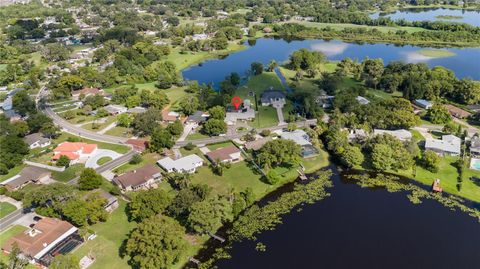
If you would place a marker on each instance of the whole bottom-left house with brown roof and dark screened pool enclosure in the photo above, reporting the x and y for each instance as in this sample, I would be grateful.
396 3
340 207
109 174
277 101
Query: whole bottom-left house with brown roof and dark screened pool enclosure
46 239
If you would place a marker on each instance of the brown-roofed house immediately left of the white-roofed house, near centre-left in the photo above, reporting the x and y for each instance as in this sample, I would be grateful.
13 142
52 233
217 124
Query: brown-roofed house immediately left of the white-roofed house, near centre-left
142 178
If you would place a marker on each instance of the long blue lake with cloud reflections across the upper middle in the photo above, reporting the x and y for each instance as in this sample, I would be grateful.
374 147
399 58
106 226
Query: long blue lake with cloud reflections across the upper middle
465 63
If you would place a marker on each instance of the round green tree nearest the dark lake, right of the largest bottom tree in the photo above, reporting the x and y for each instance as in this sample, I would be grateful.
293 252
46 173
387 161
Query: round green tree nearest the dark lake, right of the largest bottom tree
207 216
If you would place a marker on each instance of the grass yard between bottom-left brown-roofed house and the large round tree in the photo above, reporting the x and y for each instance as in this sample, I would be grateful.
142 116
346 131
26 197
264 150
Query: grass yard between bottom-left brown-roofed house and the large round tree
110 236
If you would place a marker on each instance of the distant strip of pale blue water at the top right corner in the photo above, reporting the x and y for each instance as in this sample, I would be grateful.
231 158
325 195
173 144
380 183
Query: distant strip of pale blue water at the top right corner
471 17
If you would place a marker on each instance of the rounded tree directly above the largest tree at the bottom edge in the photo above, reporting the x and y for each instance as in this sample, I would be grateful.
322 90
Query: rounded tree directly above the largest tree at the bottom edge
148 203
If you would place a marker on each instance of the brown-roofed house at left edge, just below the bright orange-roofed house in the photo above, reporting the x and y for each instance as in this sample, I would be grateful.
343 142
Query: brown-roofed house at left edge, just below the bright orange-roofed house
27 175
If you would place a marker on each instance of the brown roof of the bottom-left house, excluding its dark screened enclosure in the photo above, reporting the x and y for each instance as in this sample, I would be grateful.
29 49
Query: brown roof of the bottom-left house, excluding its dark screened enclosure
43 233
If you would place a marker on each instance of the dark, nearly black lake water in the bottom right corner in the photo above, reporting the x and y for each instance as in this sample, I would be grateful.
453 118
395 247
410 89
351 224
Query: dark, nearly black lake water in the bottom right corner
365 228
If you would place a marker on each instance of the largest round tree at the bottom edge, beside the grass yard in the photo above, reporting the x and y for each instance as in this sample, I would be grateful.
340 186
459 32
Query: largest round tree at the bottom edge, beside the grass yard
156 243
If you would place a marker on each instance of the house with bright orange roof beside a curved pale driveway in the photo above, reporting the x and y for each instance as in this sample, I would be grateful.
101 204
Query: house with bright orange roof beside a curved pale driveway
75 151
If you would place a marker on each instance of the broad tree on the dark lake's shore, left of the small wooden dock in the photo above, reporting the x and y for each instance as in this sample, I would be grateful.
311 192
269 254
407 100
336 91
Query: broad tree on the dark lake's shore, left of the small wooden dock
278 152
